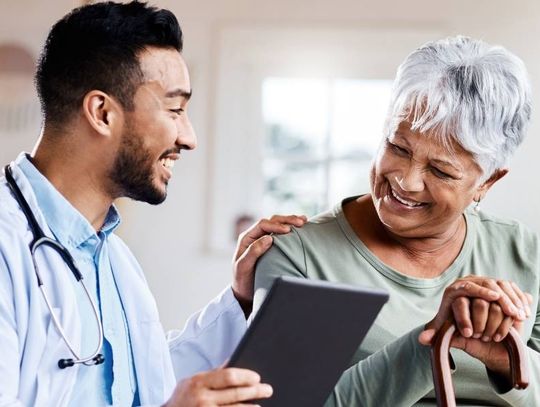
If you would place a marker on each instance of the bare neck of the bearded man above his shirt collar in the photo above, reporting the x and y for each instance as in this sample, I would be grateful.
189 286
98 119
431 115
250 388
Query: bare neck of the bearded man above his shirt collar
76 179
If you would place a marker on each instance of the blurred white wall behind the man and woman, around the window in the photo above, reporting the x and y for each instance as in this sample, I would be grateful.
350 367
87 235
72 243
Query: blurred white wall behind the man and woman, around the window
172 241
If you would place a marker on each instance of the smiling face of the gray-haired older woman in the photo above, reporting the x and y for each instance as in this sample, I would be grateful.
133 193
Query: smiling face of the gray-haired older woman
420 188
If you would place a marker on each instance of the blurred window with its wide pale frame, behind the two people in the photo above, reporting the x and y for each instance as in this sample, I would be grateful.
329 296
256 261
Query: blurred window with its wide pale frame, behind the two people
298 117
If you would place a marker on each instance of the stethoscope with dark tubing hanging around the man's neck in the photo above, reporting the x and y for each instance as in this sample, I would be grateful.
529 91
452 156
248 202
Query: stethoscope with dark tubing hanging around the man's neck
40 239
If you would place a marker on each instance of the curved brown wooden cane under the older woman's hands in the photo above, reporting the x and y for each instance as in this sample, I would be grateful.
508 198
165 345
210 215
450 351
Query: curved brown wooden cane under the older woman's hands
440 363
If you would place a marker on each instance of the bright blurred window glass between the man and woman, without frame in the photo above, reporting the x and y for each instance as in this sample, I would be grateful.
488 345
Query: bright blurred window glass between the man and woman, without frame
320 138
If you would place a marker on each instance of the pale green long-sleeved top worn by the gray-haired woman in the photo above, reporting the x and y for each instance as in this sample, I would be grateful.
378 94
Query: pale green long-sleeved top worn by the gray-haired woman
390 367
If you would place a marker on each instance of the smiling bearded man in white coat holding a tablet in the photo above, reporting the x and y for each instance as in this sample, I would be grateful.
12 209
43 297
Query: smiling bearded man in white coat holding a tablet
114 90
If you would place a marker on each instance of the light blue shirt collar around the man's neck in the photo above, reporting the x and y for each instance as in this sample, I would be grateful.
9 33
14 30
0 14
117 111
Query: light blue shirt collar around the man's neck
67 224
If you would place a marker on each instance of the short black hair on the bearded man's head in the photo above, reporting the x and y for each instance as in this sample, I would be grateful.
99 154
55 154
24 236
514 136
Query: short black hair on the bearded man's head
96 47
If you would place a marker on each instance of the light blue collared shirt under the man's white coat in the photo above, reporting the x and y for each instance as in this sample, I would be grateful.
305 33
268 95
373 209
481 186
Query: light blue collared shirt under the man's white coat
115 379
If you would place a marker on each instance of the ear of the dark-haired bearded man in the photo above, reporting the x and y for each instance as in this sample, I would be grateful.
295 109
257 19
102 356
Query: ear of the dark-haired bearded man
101 112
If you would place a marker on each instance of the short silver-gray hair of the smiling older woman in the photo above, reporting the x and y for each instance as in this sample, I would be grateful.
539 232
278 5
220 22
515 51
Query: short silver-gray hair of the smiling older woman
464 89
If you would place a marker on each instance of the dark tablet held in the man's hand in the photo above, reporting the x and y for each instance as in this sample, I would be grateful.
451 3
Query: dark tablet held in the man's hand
304 336
